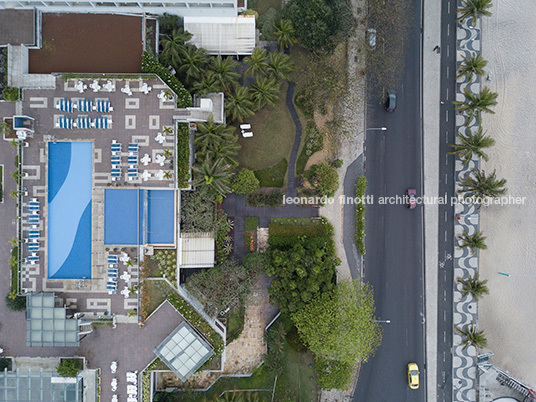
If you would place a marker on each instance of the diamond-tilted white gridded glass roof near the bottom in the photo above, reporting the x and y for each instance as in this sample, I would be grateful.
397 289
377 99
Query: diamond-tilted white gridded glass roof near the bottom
184 351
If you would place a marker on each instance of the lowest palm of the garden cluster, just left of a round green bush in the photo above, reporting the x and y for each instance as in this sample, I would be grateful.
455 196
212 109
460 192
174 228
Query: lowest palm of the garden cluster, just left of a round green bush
213 176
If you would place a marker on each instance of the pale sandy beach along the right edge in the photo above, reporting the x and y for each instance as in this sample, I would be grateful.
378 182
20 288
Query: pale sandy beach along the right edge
507 313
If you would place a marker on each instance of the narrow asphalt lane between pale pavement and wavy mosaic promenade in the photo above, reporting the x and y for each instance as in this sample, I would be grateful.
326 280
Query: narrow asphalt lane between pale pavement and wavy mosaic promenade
446 212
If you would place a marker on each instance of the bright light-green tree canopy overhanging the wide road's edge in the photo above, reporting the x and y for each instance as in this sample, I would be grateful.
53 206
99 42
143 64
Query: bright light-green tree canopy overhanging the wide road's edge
339 325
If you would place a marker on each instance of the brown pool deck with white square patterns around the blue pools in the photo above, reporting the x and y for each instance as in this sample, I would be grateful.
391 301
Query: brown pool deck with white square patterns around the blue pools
136 118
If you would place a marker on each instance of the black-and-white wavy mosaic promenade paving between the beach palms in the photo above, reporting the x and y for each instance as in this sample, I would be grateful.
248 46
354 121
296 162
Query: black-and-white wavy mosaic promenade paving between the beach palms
464 362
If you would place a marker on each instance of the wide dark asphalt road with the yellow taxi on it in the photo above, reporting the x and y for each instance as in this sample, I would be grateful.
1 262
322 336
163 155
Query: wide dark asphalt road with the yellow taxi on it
394 242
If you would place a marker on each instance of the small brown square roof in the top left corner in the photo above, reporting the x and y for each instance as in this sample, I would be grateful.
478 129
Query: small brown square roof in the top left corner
17 27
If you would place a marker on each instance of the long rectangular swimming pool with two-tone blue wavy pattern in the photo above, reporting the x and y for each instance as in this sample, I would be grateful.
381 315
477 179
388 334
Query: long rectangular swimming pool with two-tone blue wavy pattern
70 166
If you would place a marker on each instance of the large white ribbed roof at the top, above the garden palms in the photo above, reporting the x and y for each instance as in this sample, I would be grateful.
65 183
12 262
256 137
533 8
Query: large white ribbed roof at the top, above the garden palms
222 35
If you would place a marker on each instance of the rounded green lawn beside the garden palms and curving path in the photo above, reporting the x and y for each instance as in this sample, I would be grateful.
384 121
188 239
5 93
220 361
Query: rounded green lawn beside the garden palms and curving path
273 136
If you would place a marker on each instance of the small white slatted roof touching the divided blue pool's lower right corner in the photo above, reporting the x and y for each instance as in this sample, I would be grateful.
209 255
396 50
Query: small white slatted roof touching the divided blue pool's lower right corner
197 250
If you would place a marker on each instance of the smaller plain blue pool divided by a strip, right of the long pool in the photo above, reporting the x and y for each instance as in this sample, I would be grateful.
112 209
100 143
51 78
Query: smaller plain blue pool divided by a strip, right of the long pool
139 216
